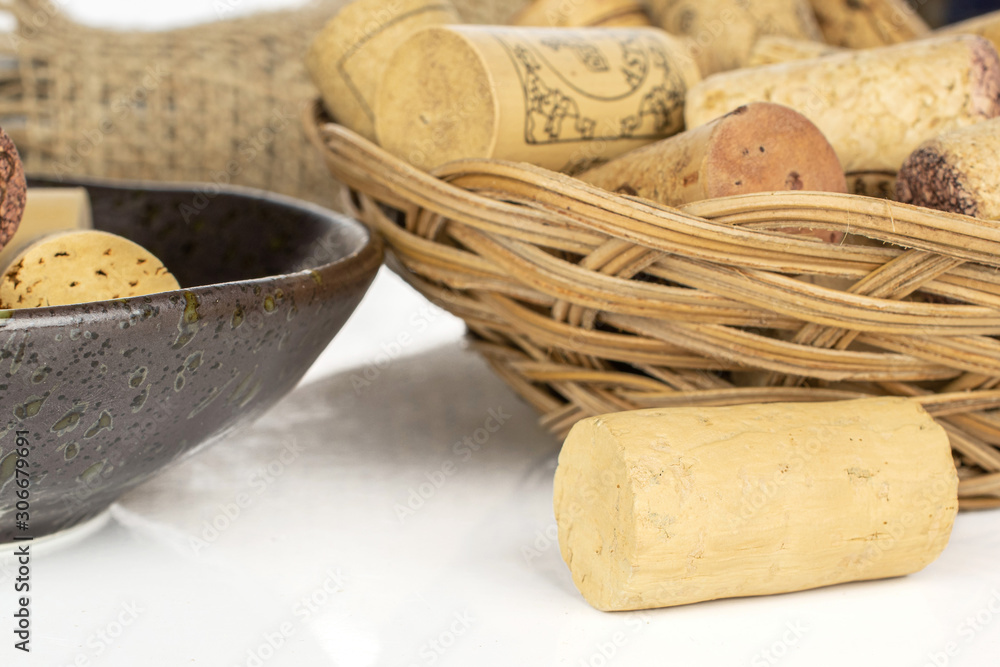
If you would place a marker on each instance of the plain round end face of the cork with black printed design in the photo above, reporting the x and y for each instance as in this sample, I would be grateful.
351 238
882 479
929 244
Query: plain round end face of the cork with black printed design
436 103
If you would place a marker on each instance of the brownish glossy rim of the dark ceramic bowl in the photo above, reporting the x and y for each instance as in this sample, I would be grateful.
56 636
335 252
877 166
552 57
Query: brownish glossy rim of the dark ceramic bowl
359 264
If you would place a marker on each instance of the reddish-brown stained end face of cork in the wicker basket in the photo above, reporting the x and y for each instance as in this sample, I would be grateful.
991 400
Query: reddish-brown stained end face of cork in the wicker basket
762 147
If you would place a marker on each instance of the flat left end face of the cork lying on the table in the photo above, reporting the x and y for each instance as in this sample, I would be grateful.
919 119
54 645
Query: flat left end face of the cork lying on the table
593 505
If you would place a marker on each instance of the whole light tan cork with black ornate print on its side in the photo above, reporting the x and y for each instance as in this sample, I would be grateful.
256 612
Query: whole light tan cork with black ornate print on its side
555 97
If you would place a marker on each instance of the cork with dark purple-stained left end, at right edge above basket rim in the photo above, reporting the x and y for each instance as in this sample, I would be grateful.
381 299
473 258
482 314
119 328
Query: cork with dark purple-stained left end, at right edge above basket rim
956 172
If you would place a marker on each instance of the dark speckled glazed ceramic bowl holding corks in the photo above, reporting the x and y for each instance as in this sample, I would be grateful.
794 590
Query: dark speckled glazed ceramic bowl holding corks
110 392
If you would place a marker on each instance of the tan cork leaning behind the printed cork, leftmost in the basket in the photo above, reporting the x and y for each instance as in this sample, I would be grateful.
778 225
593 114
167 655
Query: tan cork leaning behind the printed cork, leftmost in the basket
346 60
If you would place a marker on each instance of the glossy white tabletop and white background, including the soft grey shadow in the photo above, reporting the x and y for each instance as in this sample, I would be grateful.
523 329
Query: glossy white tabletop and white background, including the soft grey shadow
319 563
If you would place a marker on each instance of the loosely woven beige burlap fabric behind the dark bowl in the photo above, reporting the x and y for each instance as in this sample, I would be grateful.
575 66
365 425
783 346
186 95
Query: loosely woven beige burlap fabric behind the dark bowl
214 103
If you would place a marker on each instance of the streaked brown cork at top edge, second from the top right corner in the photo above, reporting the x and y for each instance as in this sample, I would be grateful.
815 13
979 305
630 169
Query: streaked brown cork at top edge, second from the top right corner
864 24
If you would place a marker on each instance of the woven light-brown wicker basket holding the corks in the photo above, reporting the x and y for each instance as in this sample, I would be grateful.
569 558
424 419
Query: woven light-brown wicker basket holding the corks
588 302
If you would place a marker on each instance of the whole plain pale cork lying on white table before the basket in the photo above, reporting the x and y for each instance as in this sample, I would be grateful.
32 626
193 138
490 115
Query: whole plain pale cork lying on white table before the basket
672 506
